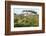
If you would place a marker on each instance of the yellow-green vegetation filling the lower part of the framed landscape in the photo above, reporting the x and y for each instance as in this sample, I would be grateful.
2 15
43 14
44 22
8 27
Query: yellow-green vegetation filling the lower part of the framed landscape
26 21
